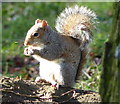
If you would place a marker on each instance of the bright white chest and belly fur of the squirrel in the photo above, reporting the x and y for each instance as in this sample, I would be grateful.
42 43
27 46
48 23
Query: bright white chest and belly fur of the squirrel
49 69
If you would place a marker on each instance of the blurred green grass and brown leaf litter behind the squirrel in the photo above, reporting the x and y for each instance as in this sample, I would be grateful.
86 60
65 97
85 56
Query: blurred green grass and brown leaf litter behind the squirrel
18 17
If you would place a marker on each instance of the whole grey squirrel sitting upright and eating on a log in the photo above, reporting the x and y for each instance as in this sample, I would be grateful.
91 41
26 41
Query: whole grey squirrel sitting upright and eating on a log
61 53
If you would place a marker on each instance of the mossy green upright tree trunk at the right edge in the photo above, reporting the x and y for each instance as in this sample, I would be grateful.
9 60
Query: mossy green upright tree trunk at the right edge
110 79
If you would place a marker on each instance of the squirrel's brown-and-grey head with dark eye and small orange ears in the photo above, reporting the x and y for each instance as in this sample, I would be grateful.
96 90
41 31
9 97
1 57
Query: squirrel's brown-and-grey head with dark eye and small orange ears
36 33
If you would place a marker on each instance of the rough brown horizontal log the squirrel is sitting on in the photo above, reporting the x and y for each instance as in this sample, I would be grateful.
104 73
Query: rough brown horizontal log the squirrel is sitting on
18 91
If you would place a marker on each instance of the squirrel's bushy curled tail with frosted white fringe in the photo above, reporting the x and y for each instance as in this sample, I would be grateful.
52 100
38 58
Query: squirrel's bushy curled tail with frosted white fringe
76 22
